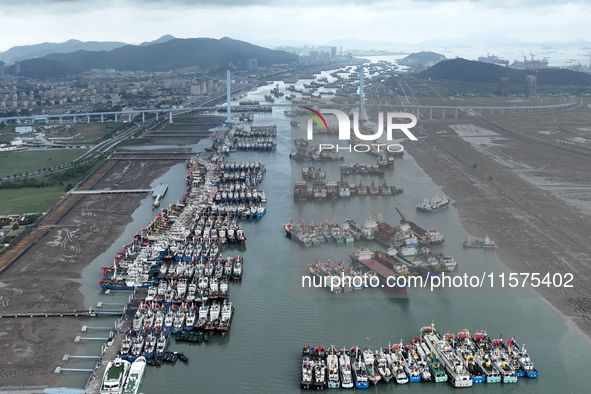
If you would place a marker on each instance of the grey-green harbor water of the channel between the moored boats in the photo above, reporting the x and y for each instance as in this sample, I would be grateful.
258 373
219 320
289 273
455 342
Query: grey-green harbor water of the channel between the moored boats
274 318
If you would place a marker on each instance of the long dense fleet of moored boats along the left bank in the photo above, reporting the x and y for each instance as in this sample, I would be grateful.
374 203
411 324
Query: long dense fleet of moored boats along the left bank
178 258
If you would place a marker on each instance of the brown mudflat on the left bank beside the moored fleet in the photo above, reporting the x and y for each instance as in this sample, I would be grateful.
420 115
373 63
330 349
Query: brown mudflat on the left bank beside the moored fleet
44 268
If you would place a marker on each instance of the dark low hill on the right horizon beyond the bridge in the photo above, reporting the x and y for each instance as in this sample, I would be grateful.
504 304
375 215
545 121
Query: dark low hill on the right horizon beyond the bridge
471 71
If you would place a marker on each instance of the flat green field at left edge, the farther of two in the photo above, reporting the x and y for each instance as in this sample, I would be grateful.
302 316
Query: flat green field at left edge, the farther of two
28 161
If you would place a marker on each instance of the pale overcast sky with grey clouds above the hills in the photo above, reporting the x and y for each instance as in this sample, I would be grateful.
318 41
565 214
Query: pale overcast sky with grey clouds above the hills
26 22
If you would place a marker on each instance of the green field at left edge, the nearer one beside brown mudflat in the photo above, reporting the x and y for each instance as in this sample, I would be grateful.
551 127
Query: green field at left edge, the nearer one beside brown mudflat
29 200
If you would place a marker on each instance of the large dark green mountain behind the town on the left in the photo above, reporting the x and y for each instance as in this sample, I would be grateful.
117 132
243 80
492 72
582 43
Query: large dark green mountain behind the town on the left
171 55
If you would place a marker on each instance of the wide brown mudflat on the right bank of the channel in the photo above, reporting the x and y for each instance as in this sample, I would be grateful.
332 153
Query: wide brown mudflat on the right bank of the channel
490 183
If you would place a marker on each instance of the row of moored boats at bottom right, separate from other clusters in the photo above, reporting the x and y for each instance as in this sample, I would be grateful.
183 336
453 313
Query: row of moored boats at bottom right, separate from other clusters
461 359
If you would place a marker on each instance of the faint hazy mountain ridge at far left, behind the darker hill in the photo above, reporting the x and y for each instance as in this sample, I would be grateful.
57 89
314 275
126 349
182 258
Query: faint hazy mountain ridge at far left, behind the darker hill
39 50
